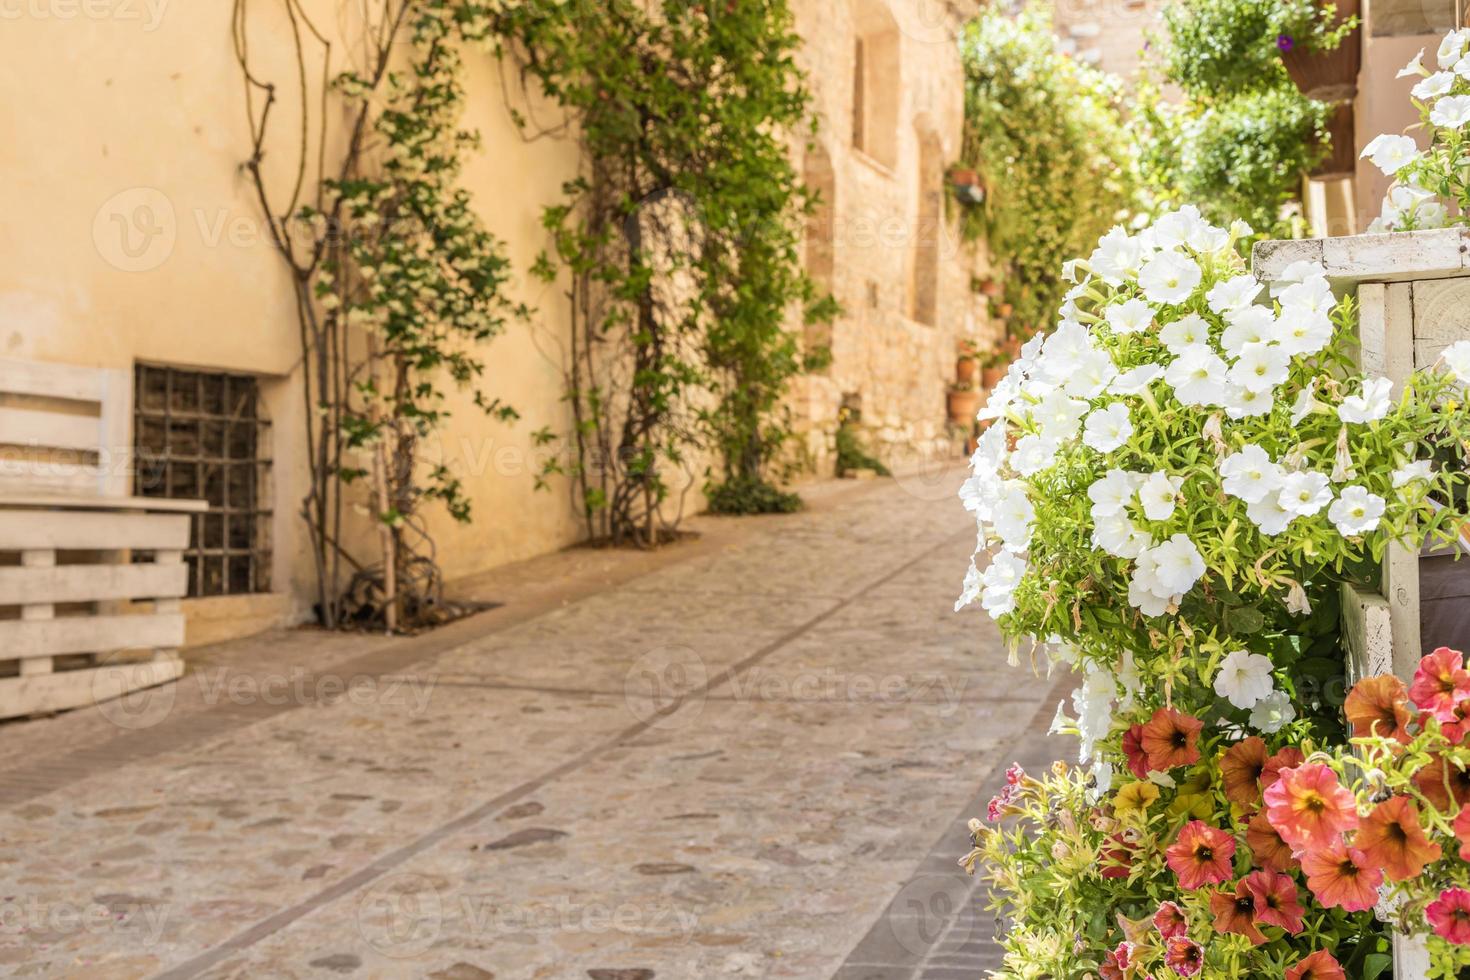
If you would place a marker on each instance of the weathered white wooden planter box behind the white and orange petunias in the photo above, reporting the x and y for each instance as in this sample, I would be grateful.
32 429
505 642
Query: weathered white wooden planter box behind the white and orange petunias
1415 296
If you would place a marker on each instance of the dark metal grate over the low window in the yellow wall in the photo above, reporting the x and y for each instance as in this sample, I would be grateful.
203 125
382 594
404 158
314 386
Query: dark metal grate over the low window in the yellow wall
202 436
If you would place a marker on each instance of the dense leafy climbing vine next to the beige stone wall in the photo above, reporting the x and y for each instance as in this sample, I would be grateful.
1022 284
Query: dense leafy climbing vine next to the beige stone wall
680 240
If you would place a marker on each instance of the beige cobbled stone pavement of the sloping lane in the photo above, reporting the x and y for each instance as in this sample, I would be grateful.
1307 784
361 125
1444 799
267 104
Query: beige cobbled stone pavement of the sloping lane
749 757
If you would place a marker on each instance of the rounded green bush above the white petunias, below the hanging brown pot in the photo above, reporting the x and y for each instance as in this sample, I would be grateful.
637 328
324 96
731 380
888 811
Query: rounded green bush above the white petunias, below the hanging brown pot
1238 158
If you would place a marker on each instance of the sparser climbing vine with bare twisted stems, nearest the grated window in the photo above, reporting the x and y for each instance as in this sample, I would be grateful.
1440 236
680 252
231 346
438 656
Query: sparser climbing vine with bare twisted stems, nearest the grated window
398 286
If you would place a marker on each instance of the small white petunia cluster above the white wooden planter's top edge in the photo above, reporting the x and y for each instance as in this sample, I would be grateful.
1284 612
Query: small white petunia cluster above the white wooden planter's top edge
1428 181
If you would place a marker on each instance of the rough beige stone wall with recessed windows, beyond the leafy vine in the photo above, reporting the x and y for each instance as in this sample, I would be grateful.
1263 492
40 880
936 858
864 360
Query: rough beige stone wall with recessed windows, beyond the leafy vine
889 84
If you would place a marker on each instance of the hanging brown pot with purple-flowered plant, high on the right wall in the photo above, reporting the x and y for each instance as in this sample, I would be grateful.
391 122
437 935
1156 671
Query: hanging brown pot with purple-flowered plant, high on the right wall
1319 49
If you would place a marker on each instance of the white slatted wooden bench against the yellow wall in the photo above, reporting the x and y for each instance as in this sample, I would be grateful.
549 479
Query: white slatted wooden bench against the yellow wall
90 577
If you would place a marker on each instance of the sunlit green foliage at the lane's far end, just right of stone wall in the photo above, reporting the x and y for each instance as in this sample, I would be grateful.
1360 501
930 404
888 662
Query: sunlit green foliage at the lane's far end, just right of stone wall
1050 137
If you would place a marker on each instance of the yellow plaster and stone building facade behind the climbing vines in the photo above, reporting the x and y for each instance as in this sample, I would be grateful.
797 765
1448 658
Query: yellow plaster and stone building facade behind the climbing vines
133 242
